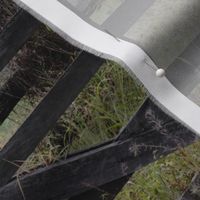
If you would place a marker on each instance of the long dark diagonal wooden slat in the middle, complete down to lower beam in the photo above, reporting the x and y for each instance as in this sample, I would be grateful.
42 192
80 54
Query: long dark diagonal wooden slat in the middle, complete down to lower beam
44 117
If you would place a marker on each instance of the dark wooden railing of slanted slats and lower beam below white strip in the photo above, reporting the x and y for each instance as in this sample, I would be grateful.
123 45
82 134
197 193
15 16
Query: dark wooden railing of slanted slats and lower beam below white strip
92 173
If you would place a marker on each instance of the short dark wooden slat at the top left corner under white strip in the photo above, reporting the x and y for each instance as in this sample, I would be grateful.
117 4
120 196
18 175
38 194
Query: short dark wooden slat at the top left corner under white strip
15 34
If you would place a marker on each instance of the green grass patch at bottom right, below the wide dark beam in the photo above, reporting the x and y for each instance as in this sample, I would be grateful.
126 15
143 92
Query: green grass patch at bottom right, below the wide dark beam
165 179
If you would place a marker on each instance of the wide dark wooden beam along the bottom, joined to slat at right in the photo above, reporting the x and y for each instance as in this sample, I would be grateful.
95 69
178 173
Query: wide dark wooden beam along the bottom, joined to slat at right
152 134
